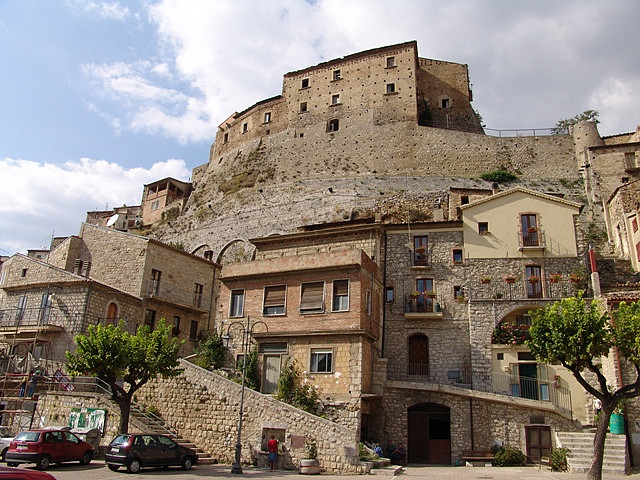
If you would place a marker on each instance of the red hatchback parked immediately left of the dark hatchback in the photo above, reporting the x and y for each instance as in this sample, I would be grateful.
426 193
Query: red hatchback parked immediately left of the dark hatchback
46 446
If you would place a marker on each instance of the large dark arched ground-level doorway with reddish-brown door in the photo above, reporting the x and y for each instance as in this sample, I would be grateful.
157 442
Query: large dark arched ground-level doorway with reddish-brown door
429 434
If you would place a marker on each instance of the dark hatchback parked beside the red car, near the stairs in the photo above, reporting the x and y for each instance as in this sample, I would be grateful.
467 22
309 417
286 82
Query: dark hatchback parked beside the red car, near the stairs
137 450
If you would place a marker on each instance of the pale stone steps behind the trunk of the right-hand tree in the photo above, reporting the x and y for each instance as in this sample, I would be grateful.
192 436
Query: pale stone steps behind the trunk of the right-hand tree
580 456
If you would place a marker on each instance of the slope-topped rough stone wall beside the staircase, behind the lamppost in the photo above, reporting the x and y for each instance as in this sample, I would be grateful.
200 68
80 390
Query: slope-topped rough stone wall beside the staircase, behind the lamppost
208 415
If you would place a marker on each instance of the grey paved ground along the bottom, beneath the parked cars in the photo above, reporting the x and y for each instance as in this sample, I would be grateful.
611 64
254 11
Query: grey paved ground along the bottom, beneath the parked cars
97 471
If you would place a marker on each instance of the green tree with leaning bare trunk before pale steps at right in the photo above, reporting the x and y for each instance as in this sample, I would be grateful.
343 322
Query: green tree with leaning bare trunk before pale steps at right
577 334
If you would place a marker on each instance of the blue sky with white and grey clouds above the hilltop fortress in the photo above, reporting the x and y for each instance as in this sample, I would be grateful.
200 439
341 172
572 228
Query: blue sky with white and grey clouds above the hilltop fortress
99 98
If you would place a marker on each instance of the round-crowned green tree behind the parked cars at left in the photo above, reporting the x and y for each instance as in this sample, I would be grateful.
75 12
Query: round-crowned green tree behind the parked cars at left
111 354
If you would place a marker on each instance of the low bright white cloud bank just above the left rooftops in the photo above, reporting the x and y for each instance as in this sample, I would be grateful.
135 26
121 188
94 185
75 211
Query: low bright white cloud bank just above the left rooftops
43 197
